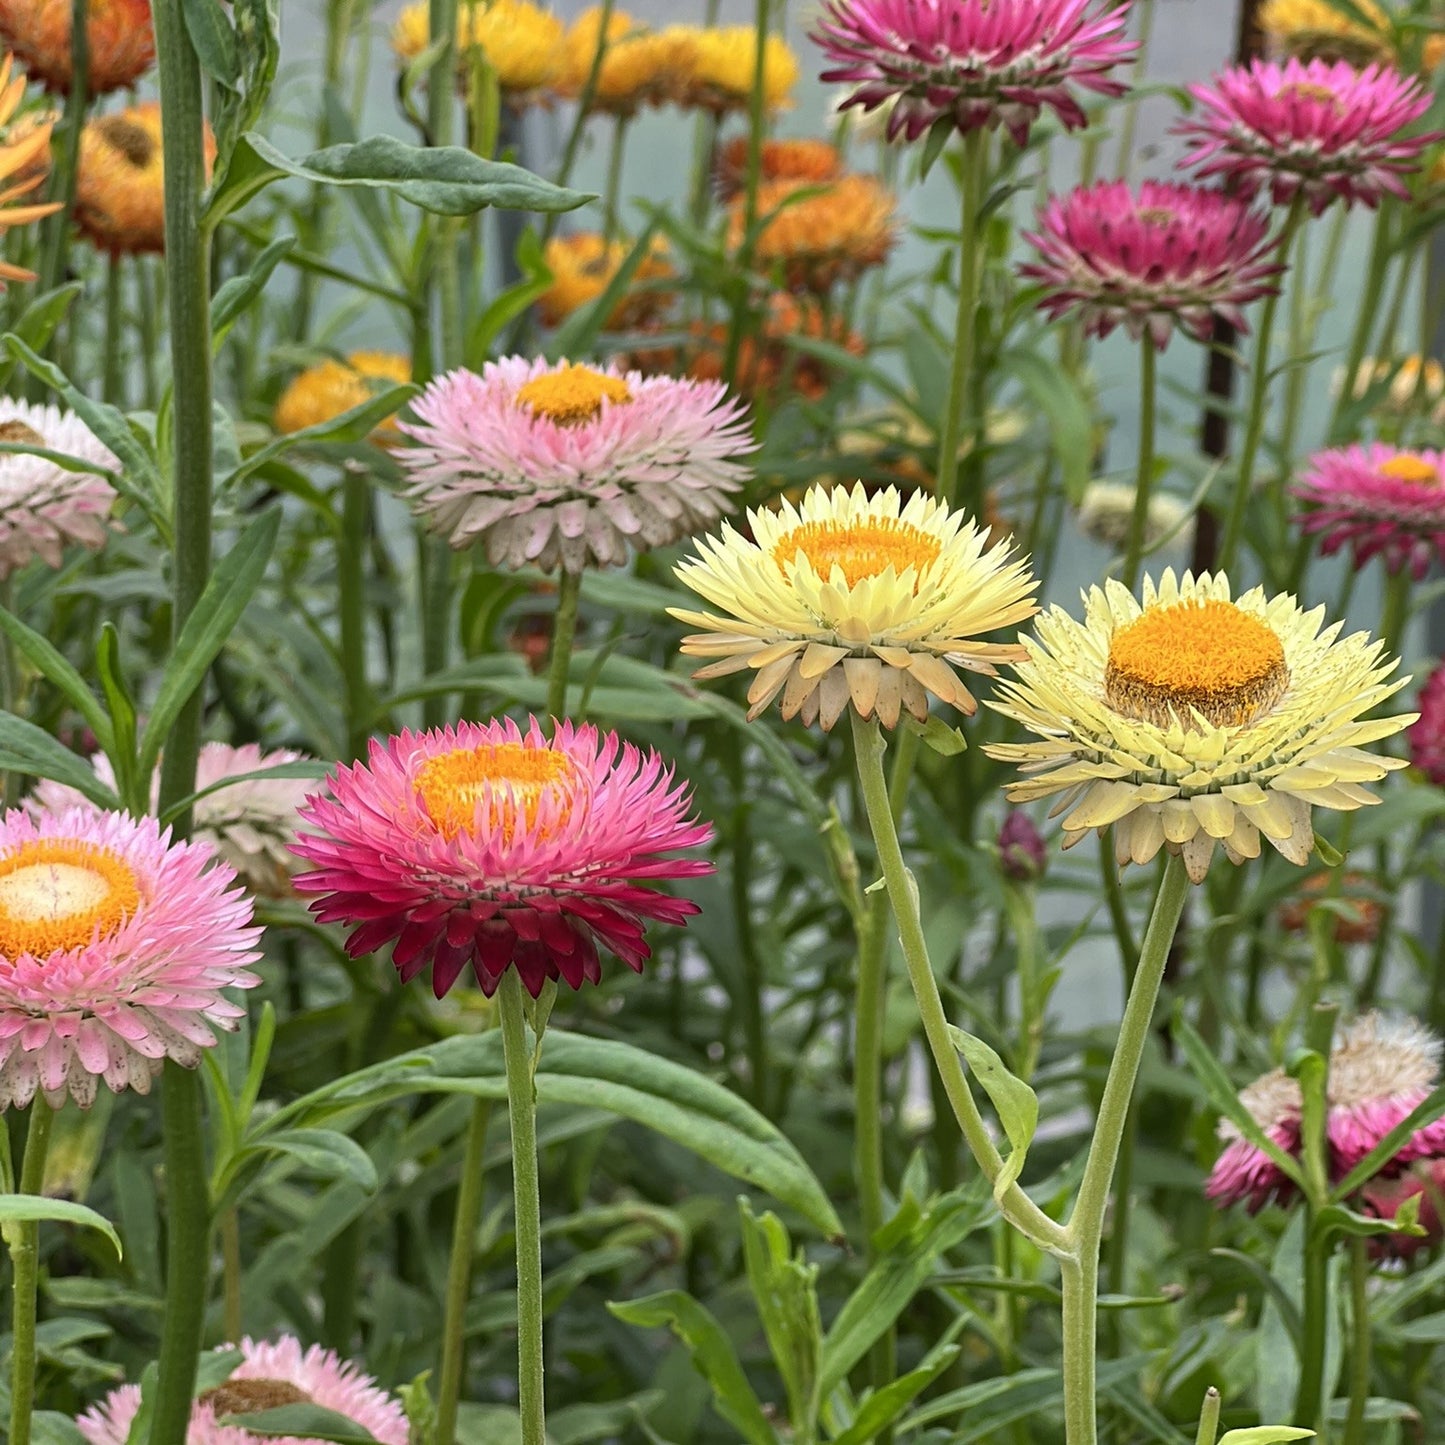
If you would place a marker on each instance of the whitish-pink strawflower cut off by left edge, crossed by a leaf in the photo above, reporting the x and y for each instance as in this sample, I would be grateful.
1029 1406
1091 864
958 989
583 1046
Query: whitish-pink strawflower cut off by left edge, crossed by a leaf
44 506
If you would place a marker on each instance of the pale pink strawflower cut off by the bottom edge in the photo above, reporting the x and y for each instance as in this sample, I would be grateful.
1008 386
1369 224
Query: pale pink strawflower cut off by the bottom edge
271 1375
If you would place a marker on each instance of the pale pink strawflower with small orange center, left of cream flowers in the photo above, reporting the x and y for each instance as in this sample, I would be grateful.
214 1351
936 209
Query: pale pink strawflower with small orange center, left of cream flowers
571 466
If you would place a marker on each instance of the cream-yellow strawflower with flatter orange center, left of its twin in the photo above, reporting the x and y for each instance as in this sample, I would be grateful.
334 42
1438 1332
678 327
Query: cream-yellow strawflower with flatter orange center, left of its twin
860 598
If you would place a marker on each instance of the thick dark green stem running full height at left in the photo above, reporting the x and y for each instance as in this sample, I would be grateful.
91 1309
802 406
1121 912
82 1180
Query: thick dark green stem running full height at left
189 278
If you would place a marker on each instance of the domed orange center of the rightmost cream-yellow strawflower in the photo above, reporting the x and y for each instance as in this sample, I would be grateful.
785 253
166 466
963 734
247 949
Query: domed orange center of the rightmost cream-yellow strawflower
1206 657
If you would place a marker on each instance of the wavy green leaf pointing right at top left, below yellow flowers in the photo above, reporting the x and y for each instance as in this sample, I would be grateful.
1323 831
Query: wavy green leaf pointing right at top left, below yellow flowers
444 180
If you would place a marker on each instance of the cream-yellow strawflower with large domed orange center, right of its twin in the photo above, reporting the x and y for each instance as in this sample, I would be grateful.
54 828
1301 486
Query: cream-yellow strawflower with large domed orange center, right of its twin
1193 720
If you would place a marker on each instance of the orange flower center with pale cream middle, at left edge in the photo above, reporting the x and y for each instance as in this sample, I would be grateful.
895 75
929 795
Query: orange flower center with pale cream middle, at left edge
59 894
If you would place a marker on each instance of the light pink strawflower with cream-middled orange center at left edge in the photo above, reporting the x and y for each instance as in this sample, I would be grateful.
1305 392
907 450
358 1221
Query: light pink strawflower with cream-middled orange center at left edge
115 950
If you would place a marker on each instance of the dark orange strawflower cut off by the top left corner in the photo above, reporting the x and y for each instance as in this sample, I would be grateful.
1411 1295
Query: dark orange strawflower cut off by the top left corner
121 40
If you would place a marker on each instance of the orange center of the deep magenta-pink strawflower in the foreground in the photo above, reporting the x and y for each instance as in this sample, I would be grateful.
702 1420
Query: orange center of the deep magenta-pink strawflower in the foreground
498 787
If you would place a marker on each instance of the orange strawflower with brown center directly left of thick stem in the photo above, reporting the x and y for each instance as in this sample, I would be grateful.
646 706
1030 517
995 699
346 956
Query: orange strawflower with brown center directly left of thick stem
121 181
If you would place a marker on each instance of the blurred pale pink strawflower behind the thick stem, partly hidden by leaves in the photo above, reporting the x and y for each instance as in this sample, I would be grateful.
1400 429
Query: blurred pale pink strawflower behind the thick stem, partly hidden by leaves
249 824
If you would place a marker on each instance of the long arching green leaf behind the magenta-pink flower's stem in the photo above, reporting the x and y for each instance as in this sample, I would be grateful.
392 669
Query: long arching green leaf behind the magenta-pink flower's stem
676 1102
